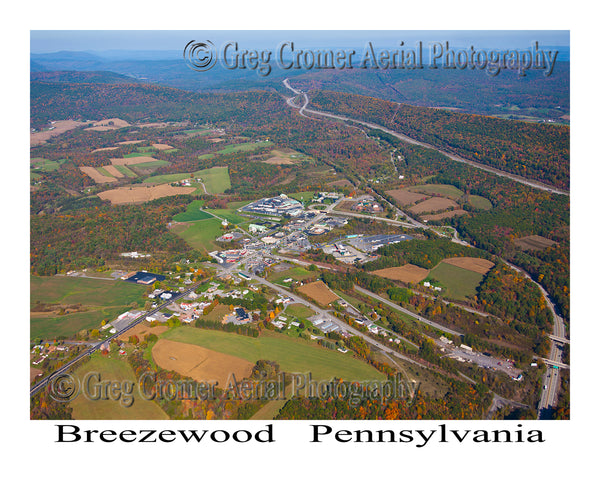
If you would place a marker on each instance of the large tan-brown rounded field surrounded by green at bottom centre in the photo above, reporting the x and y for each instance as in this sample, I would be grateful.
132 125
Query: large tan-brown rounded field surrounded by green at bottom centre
198 362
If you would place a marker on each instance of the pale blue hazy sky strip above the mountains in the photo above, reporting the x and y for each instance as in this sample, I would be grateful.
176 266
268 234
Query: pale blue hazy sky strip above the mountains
44 41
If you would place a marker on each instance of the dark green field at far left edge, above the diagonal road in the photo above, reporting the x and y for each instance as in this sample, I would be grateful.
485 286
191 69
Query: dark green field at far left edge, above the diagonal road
103 299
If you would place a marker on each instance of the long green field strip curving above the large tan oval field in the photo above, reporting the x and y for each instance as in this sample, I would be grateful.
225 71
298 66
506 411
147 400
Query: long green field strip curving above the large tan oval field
293 355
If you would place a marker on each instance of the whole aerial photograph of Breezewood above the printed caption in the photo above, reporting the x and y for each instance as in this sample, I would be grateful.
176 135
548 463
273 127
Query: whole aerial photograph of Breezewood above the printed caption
299 225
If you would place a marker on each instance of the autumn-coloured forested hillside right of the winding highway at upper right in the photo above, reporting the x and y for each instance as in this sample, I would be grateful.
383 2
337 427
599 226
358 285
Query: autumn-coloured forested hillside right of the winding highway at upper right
535 151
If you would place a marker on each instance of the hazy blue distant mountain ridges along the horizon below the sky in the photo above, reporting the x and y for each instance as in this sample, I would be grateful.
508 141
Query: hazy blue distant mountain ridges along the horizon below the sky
534 97
